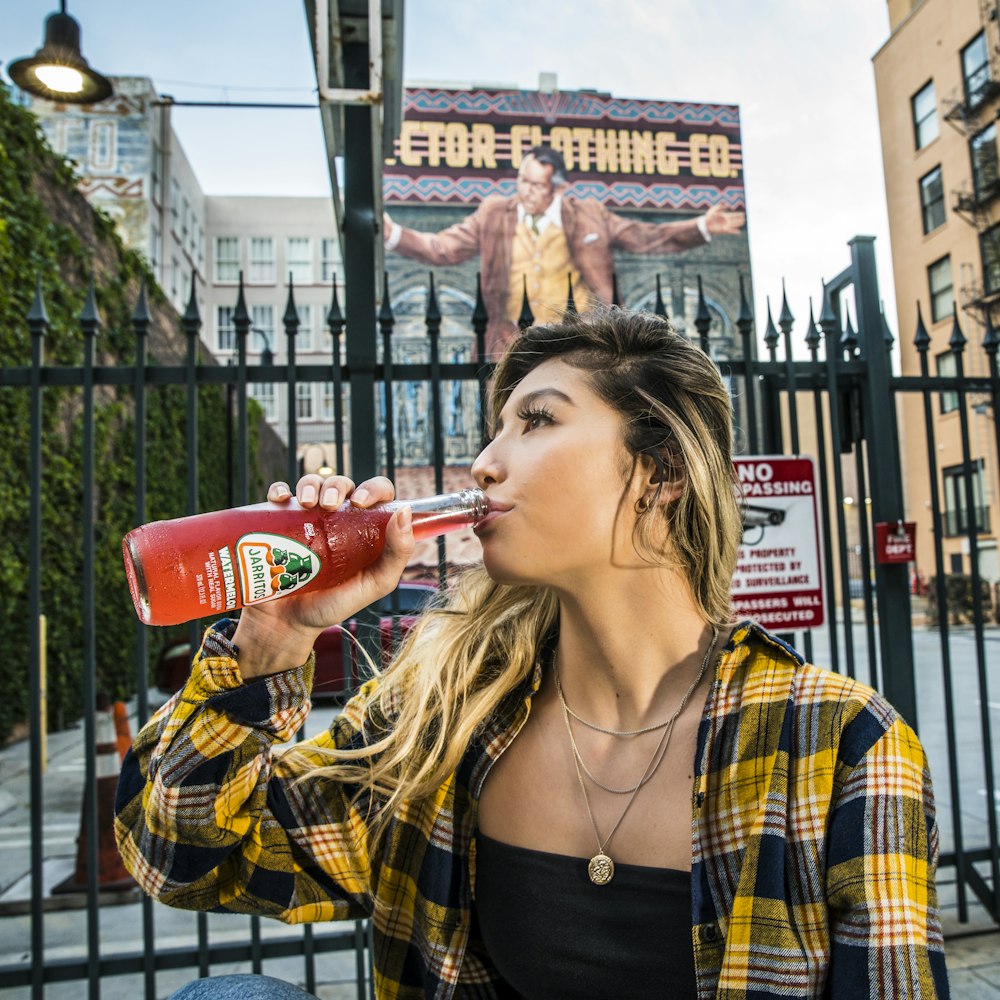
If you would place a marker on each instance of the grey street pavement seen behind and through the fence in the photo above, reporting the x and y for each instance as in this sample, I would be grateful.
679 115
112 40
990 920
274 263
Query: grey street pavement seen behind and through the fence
973 947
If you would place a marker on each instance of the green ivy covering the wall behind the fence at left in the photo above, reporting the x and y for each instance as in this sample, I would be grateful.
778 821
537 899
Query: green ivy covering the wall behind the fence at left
33 247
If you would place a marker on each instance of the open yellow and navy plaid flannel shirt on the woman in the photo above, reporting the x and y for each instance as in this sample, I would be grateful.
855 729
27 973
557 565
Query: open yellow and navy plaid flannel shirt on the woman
814 843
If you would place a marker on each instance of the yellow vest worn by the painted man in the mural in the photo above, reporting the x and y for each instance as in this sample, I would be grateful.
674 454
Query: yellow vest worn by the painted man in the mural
545 261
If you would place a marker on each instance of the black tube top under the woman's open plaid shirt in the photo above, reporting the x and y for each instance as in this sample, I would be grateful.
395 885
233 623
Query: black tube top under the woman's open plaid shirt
554 935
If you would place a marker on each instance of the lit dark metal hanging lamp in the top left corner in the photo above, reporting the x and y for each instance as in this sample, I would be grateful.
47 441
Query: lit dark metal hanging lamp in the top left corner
58 71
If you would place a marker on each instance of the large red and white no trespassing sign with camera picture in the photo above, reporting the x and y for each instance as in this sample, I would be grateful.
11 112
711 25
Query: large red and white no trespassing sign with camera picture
778 580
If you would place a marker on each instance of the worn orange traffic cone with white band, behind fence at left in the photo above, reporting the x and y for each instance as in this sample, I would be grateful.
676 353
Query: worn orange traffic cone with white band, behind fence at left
111 873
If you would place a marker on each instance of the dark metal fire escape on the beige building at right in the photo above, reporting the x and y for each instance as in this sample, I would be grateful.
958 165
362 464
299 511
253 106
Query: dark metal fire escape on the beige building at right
972 112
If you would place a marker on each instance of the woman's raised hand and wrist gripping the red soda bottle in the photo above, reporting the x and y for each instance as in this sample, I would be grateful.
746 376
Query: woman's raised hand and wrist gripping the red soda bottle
280 634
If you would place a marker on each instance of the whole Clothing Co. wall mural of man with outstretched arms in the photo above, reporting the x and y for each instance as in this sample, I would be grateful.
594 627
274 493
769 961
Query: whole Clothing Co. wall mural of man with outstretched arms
538 192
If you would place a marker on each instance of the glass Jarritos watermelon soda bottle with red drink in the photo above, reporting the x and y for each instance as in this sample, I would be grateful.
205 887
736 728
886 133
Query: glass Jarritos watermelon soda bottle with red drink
210 564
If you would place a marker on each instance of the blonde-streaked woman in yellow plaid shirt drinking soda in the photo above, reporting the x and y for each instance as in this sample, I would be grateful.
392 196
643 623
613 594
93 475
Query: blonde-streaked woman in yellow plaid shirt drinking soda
577 779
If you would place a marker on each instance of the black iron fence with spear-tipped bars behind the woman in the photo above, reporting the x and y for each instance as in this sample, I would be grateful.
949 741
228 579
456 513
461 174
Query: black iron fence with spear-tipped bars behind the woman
842 406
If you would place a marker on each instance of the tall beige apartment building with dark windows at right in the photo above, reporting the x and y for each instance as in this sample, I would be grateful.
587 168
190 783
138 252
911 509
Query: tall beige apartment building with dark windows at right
938 84
